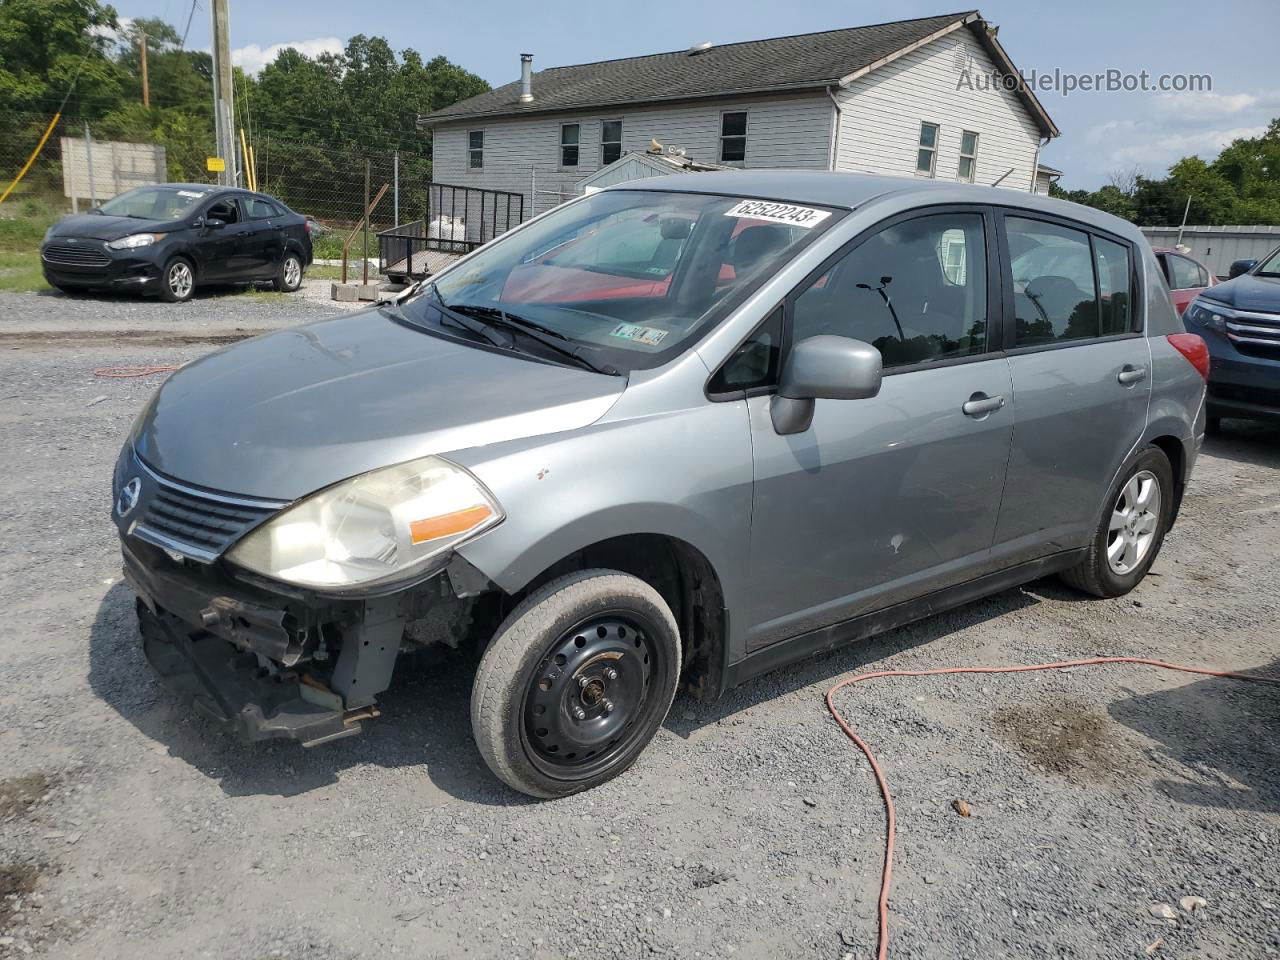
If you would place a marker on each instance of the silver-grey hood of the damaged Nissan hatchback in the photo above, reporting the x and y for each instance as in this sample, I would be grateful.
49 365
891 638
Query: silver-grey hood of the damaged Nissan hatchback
290 413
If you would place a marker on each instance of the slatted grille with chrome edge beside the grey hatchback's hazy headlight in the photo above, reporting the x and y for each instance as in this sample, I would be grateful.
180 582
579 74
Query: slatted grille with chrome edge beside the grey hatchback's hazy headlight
198 524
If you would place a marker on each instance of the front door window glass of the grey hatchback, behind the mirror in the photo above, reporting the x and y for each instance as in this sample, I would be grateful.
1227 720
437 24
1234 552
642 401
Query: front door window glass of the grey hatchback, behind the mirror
916 291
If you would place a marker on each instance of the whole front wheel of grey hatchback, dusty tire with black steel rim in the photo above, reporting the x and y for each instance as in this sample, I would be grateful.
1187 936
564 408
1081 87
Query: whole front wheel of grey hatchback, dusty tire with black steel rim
547 715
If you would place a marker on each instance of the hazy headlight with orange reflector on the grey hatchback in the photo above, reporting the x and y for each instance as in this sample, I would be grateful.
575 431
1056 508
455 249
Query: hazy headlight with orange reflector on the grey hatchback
377 527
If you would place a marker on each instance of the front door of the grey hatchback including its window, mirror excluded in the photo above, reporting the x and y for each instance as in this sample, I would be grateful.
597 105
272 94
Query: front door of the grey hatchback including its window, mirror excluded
888 499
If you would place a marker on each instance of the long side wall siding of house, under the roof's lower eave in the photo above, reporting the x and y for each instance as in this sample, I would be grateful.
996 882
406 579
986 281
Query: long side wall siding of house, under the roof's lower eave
793 132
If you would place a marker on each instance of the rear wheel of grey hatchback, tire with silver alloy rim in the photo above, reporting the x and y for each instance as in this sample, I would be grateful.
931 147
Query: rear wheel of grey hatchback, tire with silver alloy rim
1131 532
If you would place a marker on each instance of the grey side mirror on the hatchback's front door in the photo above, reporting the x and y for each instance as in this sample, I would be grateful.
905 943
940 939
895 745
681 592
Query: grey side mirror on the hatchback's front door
824 368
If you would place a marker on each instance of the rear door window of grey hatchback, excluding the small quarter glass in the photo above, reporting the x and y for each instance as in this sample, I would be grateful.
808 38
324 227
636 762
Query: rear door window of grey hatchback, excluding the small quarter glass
1054 290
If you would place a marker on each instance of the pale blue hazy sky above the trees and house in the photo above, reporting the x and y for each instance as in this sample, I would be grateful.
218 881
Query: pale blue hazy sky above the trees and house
1232 42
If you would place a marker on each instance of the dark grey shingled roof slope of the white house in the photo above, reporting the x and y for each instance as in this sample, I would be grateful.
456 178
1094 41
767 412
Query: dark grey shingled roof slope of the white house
757 66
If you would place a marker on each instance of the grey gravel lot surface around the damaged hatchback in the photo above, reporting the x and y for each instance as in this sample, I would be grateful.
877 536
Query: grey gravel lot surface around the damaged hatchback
751 829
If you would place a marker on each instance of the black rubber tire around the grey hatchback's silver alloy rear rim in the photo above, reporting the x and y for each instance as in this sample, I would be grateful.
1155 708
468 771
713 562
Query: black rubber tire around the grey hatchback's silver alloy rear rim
1096 574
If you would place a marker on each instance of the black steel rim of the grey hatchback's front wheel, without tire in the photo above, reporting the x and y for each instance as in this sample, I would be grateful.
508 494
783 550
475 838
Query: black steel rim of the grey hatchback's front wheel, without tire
577 720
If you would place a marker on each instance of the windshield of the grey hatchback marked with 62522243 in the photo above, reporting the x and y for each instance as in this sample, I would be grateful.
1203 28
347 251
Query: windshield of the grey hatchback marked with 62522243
629 278
